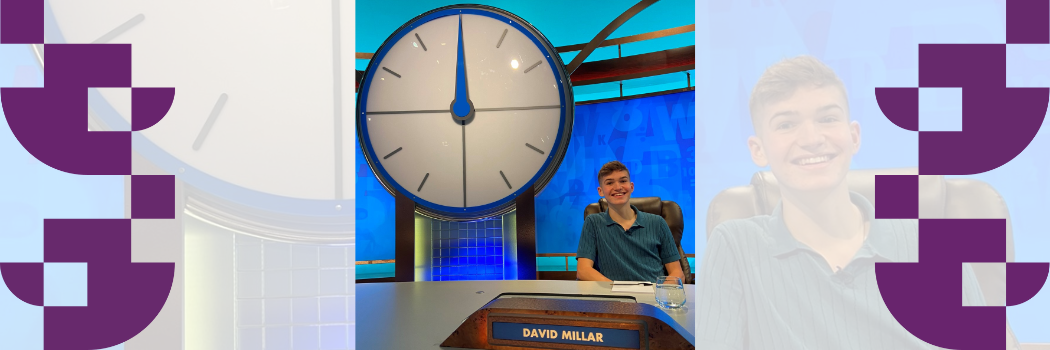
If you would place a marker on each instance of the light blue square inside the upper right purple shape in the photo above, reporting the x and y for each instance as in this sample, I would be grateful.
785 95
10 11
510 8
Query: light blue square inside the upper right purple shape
940 110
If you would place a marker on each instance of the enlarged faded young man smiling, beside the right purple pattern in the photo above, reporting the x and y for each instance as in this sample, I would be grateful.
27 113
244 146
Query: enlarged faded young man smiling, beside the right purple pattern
804 277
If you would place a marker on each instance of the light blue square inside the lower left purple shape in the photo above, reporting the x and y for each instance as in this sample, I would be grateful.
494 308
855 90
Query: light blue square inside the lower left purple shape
66 284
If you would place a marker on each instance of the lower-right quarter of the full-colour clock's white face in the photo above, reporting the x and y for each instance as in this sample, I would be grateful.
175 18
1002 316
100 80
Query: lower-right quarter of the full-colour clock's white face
496 141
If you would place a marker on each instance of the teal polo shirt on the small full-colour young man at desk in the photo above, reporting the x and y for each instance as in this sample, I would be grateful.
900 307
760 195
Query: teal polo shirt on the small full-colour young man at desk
638 254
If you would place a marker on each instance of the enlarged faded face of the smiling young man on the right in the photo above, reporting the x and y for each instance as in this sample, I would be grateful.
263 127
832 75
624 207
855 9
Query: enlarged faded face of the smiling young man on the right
807 139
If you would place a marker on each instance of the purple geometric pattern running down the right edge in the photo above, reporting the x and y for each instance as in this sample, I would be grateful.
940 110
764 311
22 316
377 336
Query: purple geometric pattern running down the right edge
999 122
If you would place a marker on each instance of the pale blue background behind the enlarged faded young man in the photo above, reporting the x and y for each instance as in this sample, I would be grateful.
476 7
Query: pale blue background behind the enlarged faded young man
870 45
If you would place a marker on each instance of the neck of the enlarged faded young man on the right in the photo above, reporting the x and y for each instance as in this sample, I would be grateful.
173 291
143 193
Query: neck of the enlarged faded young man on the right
825 217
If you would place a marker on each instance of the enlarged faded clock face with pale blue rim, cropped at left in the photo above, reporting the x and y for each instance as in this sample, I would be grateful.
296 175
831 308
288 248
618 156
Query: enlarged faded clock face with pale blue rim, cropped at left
263 97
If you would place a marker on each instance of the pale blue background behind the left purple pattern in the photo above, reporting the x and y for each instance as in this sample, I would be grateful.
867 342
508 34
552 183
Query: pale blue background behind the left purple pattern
31 192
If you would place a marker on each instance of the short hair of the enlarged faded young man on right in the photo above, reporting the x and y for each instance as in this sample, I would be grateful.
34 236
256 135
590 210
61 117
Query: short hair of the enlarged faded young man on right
783 79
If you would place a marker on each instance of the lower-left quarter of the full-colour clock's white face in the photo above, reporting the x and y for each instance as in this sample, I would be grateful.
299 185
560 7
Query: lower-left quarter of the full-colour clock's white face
431 143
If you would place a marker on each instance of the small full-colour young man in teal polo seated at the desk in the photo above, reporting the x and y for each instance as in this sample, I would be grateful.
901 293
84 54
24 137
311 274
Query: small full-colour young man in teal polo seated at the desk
625 244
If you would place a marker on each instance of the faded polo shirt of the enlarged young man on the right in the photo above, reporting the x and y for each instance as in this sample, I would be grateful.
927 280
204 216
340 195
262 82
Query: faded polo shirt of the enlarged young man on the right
761 289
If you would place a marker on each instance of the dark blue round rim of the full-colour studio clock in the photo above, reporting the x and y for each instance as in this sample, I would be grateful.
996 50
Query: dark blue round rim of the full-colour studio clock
464 213
